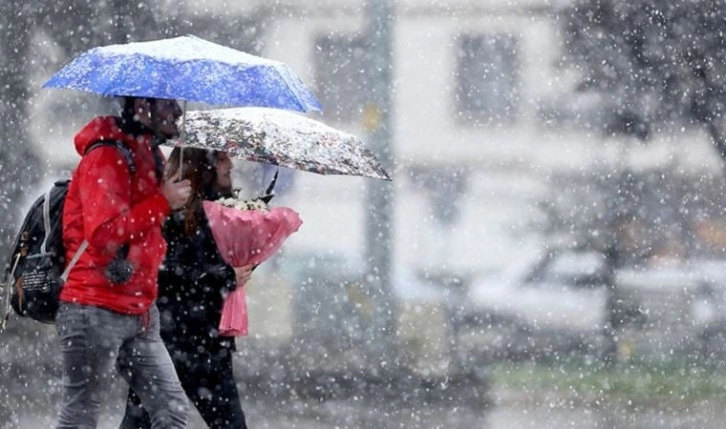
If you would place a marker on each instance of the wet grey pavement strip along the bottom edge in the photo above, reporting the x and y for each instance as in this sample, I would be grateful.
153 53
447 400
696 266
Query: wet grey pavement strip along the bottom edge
512 410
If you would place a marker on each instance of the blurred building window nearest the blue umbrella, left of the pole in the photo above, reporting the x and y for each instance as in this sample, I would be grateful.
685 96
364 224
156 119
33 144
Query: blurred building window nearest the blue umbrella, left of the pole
340 75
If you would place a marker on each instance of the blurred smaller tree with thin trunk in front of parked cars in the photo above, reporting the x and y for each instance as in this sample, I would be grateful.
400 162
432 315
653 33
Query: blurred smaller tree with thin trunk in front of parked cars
634 219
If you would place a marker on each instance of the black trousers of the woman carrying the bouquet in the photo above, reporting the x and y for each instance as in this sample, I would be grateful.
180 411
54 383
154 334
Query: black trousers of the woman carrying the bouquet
208 380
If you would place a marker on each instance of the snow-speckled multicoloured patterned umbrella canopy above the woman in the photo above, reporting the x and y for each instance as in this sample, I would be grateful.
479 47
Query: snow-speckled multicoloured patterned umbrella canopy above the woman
281 138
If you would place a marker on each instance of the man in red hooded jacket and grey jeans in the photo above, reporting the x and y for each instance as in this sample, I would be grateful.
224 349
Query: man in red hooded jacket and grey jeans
108 319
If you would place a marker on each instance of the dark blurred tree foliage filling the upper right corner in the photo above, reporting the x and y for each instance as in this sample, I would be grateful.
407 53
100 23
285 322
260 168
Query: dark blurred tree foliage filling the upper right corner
654 63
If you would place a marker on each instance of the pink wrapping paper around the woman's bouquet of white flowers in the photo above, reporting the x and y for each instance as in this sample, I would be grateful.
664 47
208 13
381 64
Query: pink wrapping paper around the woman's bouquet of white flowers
246 237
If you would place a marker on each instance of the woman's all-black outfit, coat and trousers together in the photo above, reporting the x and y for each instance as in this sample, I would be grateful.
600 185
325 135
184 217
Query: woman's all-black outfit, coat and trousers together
192 283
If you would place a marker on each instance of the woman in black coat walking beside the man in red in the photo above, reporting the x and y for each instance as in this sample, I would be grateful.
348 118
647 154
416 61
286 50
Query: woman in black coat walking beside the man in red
193 281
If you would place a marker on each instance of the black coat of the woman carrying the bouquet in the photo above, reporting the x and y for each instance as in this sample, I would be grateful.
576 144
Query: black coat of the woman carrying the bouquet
193 281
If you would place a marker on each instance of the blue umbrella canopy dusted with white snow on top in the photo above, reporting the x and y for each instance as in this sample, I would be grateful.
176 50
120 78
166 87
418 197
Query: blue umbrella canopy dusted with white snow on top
186 68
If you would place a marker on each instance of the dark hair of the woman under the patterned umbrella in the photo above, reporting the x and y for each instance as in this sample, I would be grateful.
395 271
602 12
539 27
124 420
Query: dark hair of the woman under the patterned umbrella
199 167
